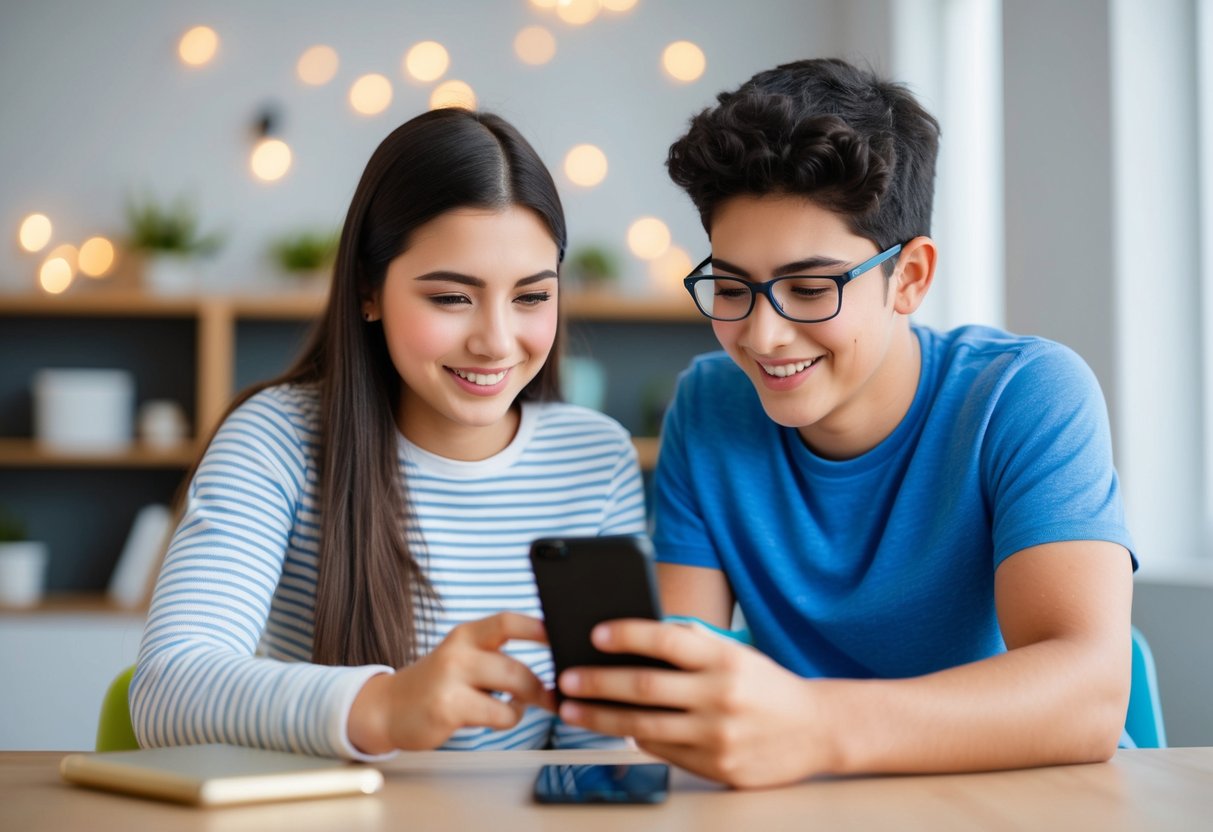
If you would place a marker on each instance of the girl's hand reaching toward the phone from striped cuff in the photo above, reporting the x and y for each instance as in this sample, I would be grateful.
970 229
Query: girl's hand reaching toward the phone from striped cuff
422 705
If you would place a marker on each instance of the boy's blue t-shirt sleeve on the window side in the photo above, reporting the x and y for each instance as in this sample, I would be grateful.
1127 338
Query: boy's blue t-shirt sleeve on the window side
1047 461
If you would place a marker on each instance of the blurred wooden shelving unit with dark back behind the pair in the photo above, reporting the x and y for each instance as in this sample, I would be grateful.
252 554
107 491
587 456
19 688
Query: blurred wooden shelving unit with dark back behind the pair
201 351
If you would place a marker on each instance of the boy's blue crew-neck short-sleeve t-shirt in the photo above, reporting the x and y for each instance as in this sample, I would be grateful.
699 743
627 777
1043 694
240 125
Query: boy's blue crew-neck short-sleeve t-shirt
882 566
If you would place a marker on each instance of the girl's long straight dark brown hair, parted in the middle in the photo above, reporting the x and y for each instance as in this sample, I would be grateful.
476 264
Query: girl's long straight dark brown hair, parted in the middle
372 591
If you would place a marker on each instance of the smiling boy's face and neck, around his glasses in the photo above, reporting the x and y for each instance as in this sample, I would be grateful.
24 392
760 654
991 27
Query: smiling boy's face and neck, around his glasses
845 383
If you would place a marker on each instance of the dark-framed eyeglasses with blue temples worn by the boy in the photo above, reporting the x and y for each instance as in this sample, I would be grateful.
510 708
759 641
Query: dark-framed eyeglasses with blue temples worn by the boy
804 299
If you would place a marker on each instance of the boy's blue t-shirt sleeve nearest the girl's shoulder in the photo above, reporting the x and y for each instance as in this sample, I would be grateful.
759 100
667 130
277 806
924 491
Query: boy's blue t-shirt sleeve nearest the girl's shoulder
680 533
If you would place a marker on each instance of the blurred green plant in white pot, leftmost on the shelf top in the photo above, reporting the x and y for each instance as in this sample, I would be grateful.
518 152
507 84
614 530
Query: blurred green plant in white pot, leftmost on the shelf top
168 240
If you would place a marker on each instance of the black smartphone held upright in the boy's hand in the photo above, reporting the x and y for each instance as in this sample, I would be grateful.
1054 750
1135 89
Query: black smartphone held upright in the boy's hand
584 582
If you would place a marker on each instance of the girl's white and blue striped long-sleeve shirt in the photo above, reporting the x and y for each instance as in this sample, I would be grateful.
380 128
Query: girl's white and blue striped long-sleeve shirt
226 653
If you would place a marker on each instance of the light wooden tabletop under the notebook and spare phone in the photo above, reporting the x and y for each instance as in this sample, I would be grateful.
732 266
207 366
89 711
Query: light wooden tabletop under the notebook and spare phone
489 791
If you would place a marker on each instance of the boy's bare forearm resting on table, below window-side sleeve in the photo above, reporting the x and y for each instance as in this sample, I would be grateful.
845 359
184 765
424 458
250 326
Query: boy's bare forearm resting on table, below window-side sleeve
1051 703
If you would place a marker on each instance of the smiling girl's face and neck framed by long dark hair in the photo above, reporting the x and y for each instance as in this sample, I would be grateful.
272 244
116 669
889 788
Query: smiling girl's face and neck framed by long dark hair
470 317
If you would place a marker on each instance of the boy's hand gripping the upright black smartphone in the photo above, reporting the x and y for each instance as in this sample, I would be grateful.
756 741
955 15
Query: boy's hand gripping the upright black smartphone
741 719
